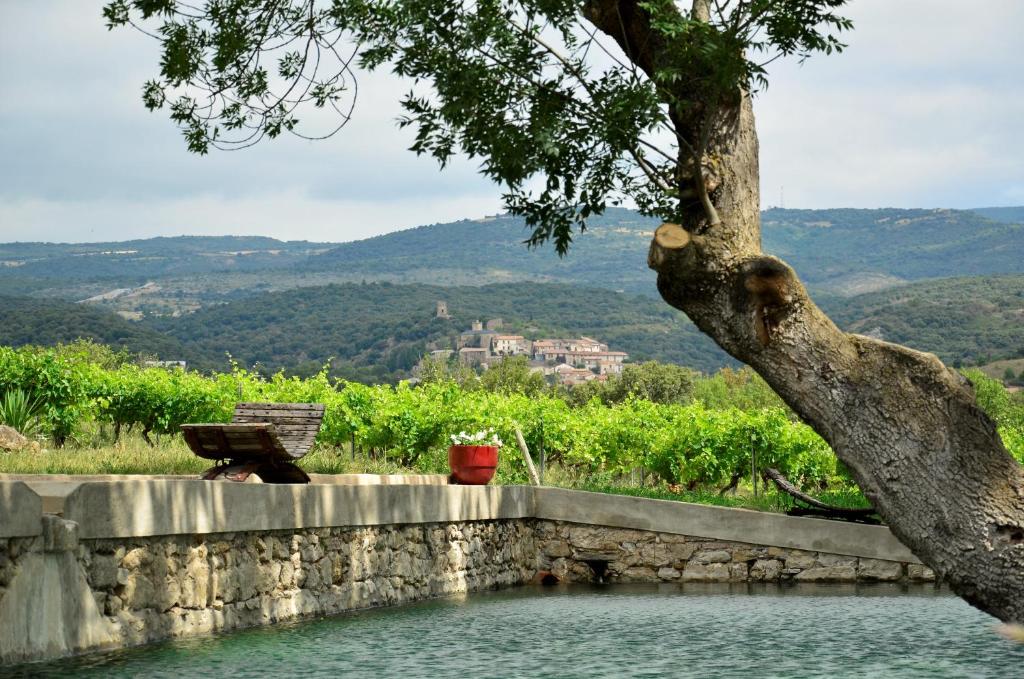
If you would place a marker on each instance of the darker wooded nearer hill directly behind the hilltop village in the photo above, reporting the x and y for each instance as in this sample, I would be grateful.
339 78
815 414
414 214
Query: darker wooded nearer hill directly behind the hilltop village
378 331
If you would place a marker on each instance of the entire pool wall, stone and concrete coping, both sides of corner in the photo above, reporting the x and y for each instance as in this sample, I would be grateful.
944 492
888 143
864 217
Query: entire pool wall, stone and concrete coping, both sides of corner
97 565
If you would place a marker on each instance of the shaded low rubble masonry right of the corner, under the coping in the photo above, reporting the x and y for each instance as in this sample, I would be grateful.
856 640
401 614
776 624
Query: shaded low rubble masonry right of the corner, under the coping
577 553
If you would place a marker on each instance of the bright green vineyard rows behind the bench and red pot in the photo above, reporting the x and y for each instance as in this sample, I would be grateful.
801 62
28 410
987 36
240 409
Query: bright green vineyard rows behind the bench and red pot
705 443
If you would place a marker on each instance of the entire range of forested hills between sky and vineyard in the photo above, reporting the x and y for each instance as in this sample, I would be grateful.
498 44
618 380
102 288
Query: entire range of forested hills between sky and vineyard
267 302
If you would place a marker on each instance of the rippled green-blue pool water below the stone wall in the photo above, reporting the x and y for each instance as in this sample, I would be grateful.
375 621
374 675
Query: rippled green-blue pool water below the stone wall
603 631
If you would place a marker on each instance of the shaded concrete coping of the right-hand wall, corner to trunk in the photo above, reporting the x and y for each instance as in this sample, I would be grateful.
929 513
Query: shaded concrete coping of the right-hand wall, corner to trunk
726 524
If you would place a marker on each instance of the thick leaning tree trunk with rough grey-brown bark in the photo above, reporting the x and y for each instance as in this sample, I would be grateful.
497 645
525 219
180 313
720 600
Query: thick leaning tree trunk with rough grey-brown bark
929 460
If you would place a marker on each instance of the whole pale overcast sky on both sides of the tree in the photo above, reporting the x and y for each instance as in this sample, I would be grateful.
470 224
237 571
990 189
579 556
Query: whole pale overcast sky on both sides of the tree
925 109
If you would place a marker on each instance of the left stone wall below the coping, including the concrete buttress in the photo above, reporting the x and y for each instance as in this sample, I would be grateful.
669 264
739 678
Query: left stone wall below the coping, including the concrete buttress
126 592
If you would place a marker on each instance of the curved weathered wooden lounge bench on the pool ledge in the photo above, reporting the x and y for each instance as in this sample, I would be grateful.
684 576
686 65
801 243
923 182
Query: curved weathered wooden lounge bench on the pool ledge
263 439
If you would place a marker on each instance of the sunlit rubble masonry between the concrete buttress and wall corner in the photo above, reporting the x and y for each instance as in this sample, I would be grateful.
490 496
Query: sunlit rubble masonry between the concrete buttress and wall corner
183 586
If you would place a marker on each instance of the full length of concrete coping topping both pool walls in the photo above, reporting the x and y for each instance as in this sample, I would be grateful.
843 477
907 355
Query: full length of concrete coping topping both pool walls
155 507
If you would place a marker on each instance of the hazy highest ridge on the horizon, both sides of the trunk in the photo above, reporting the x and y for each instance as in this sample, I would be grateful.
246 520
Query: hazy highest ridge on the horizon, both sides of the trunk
839 251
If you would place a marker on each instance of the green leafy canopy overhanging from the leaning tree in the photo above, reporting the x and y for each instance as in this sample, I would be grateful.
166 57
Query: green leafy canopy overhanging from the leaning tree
567 123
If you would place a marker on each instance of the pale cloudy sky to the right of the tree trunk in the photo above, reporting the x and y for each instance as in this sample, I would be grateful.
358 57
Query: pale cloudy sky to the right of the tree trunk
924 109
